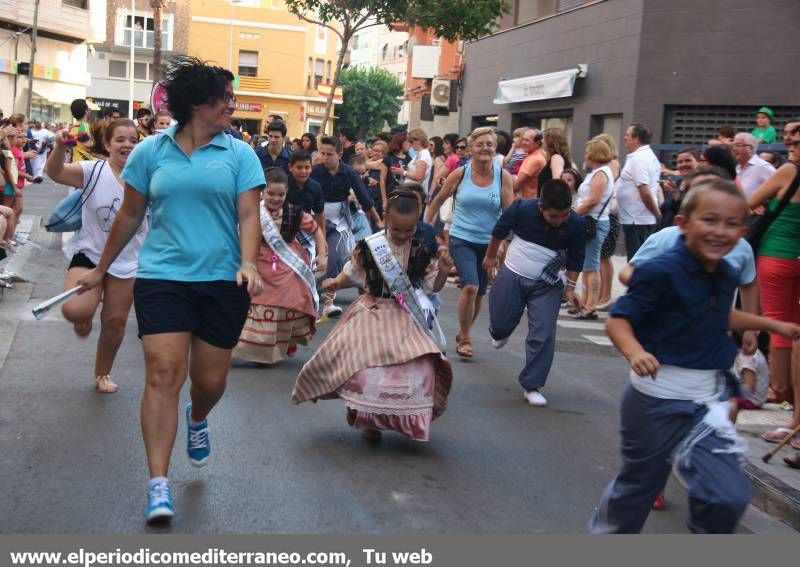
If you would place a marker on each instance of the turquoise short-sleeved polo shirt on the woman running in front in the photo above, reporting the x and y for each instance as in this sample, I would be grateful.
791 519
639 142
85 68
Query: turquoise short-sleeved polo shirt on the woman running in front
193 216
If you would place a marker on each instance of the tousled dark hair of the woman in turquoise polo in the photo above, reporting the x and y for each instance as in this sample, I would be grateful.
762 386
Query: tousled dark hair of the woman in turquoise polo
192 82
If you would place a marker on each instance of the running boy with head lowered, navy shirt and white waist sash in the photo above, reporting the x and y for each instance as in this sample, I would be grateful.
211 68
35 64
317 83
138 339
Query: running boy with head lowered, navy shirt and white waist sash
548 237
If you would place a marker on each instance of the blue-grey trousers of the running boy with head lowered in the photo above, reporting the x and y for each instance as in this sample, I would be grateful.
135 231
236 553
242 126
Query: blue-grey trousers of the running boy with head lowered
508 298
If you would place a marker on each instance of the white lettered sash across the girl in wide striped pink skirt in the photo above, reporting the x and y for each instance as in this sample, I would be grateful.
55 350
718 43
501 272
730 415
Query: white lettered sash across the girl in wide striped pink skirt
412 301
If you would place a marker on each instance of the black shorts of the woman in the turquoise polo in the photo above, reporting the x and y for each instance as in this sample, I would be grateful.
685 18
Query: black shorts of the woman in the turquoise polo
213 311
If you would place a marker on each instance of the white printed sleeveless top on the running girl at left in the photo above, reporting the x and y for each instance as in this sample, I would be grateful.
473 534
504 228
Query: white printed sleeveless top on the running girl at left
100 208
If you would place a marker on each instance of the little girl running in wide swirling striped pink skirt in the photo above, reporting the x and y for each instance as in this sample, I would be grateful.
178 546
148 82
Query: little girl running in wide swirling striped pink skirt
378 359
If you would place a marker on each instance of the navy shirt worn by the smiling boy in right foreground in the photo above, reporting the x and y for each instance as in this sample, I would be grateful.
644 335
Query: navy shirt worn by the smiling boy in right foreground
680 312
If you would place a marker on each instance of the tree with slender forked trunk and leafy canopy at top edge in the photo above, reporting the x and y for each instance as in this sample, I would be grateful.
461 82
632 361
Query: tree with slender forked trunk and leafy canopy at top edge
453 19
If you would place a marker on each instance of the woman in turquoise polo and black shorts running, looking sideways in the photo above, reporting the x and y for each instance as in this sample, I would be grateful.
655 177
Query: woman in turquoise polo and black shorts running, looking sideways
197 264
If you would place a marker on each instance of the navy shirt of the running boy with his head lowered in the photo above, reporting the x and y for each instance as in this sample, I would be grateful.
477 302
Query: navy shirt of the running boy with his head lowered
525 218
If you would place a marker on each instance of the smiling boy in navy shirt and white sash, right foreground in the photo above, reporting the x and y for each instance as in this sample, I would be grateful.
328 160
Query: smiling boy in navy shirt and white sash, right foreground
672 326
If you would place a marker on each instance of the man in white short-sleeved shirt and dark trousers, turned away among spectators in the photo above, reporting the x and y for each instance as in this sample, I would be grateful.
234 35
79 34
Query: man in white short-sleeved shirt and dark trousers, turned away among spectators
637 189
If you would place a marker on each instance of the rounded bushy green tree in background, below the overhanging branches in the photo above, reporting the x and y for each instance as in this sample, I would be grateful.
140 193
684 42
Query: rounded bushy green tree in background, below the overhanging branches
371 97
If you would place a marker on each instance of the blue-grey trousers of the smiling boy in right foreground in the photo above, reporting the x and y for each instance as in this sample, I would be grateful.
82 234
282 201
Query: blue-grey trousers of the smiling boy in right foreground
651 430
